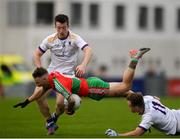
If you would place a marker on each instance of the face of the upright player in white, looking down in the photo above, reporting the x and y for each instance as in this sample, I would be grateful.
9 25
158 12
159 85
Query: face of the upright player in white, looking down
62 29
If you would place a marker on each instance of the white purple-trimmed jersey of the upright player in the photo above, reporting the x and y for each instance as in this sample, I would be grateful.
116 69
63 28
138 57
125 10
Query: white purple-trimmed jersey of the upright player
64 52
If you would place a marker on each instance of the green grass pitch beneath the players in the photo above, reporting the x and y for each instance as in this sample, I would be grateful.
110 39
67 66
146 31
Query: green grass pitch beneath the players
91 120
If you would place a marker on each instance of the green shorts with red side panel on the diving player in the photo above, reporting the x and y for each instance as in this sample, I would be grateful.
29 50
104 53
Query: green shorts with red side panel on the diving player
97 88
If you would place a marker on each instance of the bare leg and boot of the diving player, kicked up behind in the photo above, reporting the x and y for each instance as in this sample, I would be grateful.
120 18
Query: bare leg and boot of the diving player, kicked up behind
122 88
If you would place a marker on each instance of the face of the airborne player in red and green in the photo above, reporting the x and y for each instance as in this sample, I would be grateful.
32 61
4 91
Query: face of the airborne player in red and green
42 81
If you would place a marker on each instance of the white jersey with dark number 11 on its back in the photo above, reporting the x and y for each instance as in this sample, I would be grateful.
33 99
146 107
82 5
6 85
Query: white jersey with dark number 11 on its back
159 116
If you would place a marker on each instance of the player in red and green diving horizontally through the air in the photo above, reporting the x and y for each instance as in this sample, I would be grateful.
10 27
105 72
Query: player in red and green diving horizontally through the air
92 87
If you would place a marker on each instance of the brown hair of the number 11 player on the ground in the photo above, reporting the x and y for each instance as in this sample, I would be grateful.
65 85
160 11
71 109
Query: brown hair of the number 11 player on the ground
136 99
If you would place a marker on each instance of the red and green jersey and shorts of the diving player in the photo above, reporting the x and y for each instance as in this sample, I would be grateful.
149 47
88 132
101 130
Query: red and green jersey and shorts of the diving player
92 87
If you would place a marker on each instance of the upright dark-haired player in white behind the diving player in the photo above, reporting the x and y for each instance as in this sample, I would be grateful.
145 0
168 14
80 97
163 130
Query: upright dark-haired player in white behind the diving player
64 46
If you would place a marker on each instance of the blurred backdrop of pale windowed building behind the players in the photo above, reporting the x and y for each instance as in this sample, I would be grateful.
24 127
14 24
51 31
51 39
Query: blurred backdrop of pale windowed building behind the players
111 28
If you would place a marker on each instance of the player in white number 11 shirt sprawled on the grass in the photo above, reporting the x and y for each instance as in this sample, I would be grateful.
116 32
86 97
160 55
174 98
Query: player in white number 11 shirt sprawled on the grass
154 114
